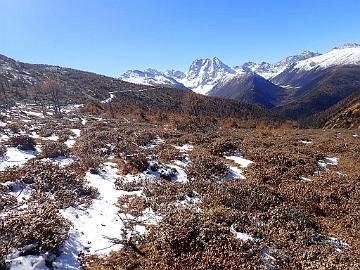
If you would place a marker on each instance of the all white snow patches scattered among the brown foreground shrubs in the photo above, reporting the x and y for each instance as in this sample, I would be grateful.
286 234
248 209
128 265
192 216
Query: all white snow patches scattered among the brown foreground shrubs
97 228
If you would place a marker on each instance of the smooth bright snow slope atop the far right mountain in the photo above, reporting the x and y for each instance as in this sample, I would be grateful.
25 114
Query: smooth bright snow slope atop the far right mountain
348 54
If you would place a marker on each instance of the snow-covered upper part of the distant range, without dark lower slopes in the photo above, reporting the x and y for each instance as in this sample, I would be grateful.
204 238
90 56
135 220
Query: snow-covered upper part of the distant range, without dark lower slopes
293 71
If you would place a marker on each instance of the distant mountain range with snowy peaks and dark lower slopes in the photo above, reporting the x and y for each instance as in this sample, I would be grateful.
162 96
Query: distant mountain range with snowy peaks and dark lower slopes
296 86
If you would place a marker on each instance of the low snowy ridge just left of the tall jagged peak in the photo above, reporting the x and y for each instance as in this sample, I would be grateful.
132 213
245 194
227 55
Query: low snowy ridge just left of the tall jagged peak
154 77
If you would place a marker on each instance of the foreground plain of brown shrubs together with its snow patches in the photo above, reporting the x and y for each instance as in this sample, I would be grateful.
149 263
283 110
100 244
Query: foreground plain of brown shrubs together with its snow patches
93 193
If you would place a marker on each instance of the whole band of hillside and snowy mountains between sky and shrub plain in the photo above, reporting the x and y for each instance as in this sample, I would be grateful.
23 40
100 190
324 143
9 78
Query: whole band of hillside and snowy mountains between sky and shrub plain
299 87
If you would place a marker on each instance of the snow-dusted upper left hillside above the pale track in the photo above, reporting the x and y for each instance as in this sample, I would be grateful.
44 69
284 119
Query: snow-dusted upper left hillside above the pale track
21 81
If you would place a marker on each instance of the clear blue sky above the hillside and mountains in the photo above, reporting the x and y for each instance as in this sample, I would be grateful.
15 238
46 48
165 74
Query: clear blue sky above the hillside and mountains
111 36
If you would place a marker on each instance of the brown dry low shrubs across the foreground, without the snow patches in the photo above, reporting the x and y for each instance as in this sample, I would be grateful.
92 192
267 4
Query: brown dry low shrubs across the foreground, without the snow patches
289 218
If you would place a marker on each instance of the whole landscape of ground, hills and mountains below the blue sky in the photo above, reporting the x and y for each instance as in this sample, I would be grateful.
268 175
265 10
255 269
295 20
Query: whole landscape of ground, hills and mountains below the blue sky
101 173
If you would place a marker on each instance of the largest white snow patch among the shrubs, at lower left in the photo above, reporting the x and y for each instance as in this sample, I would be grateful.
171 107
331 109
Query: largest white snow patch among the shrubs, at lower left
95 228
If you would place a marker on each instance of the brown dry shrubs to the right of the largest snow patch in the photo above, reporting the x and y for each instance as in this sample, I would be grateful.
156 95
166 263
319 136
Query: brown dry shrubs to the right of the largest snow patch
291 219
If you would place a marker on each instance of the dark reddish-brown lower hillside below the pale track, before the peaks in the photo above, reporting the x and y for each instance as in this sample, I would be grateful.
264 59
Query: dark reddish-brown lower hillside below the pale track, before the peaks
162 102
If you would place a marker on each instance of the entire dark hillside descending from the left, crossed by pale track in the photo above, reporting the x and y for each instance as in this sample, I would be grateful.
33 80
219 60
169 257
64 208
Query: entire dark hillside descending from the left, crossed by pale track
23 82
